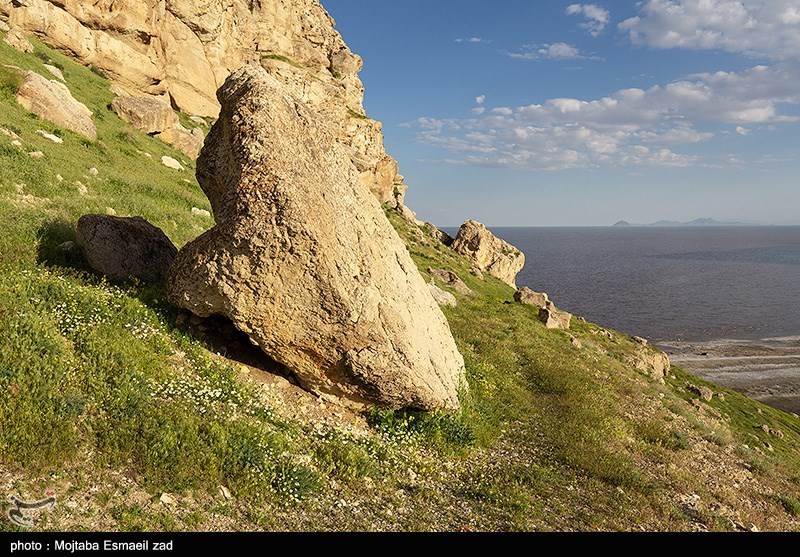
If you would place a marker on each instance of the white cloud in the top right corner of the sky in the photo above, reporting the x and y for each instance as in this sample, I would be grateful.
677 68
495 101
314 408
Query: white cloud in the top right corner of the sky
760 28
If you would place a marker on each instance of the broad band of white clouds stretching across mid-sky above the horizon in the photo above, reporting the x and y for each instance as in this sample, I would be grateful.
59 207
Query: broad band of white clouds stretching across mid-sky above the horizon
631 127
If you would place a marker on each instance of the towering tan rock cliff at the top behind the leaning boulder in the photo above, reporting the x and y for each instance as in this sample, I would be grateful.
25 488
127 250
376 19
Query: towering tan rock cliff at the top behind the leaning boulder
182 51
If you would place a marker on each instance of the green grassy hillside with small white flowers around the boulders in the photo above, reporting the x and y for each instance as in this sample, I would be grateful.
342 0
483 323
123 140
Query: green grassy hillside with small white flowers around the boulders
113 401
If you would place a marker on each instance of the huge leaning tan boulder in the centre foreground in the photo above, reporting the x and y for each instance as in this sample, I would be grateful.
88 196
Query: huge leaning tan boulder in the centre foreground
304 261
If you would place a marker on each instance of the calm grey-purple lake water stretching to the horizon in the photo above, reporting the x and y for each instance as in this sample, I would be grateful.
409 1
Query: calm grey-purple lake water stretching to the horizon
669 284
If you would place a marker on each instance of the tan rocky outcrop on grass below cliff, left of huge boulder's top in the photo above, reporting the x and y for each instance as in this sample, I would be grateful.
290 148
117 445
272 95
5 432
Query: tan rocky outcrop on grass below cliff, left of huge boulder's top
155 117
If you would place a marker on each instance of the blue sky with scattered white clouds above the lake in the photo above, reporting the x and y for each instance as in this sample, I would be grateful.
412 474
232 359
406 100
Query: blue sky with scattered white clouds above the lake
550 113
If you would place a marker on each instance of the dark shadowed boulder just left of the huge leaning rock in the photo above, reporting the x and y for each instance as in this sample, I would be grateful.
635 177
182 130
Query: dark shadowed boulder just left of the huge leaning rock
120 248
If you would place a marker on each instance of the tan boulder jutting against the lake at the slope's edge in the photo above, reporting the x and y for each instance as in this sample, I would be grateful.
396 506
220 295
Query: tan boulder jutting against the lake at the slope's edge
490 253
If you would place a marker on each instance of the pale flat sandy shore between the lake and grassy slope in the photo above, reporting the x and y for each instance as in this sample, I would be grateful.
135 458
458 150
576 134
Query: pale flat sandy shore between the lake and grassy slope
767 370
